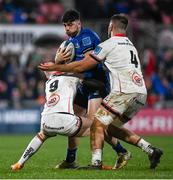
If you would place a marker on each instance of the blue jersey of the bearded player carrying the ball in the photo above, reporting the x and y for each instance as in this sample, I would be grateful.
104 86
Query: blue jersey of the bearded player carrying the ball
85 41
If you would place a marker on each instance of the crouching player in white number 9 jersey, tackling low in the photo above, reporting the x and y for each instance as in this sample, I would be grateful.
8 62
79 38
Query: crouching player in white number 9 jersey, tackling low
58 115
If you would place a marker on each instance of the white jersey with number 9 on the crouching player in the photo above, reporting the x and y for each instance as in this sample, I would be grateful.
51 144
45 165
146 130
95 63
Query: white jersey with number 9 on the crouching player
60 93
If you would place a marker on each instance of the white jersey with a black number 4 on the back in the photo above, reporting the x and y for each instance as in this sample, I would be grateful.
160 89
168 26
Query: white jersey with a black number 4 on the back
121 58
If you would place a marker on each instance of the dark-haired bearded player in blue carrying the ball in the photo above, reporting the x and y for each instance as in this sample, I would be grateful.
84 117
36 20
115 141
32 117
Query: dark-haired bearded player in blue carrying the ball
85 40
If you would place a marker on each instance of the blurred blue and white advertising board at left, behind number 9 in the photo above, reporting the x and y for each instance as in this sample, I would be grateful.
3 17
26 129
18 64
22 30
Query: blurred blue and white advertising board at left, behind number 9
19 121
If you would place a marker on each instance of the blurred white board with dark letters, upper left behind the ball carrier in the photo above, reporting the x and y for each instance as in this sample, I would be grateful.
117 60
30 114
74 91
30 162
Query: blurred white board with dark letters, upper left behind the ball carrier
15 37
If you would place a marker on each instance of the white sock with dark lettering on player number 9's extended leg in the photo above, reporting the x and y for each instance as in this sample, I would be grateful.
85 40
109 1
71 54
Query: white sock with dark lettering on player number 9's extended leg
32 147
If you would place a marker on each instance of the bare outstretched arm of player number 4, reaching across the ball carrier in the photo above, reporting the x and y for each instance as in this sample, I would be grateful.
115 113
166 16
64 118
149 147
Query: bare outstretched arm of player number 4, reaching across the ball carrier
78 66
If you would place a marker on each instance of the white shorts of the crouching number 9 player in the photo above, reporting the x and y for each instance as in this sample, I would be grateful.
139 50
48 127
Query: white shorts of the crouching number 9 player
60 123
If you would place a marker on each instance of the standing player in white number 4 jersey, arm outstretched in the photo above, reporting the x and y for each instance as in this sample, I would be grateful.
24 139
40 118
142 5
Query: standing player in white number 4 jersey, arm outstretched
128 92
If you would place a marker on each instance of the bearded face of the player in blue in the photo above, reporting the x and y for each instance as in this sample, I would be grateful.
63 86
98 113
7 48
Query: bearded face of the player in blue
72 28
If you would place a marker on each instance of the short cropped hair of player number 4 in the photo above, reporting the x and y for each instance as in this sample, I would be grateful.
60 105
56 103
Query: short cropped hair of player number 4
120 20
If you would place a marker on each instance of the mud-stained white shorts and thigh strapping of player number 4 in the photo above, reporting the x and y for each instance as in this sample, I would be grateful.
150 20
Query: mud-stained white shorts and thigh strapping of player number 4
121 107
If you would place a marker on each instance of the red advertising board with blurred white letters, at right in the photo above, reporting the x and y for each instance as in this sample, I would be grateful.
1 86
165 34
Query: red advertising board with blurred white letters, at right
152 122
